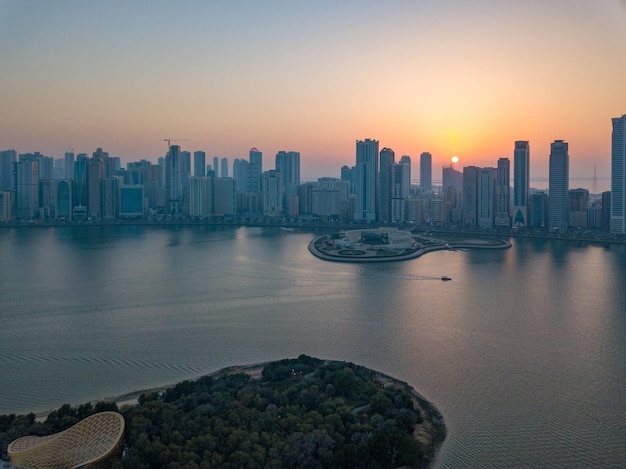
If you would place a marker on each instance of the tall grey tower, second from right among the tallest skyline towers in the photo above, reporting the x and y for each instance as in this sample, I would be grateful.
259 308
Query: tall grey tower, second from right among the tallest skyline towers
558 186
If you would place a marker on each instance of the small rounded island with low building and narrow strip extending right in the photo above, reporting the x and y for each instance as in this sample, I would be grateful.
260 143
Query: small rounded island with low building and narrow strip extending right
386 244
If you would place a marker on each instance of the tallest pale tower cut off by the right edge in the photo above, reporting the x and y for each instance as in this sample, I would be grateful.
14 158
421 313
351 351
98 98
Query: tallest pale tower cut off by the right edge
618 175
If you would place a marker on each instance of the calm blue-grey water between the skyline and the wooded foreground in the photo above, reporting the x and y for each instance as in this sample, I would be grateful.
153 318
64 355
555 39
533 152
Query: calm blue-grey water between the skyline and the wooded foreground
524 352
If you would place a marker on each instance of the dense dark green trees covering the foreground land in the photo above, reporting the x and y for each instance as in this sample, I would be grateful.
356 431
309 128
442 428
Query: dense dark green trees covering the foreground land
301 412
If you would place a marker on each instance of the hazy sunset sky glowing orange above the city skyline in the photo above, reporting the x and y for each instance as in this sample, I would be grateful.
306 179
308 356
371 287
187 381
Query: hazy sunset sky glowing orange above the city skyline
450 77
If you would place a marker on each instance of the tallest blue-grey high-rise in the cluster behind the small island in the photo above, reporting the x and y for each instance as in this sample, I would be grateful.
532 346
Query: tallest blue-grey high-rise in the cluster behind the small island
365 177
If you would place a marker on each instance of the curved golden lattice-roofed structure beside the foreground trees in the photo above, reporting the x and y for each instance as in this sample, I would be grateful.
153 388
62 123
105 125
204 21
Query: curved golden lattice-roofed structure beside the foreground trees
89 444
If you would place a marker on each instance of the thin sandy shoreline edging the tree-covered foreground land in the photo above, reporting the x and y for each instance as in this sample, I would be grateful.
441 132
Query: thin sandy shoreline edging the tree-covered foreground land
431 432
